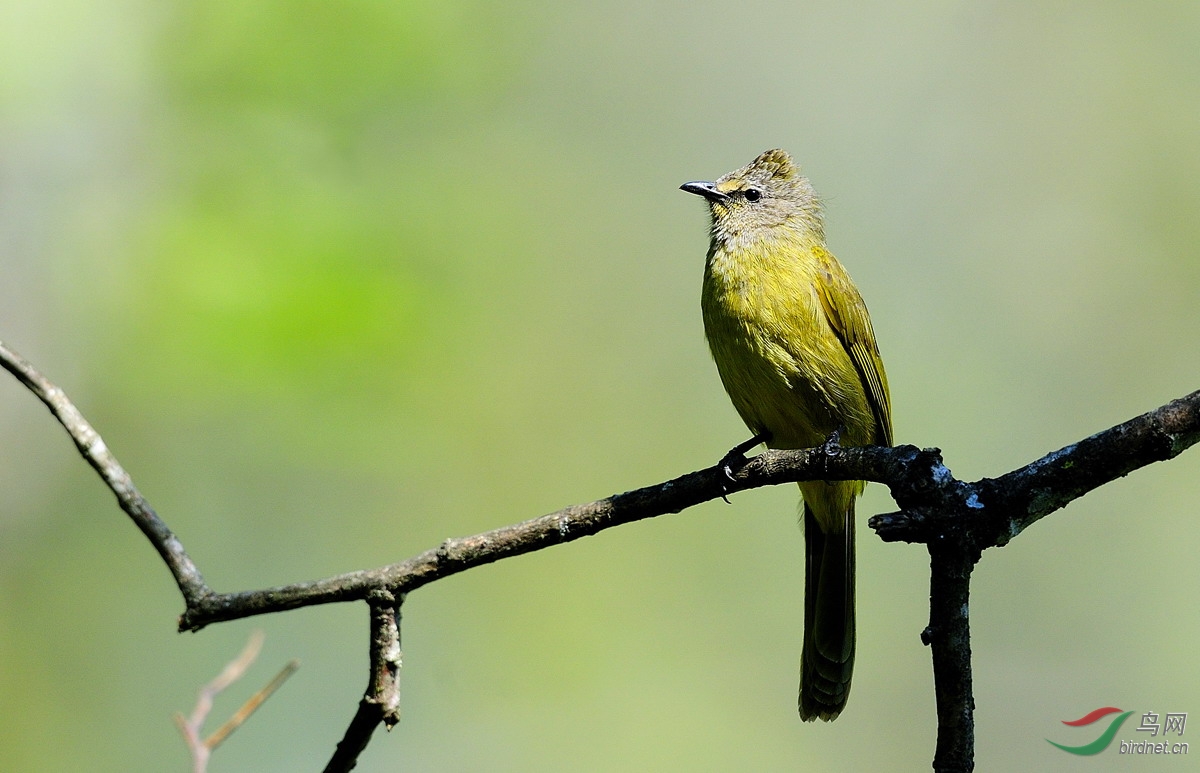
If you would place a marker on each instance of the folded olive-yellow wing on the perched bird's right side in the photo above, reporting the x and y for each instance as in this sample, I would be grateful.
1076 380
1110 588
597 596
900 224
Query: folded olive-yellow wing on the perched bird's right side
848 316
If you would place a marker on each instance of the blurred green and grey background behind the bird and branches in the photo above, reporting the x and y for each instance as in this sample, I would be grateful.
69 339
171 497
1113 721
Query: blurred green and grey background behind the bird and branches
338 281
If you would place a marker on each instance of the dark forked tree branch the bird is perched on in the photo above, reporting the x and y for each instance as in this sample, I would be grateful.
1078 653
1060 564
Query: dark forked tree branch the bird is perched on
957 520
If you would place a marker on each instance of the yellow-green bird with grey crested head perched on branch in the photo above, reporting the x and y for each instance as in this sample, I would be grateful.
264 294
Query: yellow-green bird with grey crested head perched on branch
796 352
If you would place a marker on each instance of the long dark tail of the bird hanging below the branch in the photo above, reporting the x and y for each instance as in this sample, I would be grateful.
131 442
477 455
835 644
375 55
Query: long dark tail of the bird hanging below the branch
827 661
